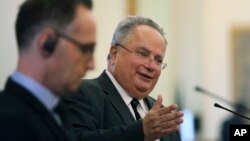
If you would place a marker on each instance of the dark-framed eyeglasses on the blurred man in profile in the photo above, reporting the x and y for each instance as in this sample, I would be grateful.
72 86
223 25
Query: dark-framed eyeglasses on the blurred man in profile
85 48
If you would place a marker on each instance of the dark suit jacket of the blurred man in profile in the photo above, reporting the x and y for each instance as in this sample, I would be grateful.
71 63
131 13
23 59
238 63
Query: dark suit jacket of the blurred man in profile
24 118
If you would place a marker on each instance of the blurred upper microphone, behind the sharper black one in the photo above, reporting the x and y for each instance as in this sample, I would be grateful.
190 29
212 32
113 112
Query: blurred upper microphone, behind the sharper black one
214 96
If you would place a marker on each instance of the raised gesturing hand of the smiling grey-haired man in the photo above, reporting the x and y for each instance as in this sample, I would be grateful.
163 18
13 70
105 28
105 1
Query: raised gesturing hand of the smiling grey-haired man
161 121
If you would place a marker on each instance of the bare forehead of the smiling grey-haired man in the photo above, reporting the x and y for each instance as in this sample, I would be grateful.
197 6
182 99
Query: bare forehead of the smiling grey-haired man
146 37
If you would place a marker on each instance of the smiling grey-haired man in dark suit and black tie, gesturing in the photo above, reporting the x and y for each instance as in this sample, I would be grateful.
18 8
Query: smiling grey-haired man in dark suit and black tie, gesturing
116 106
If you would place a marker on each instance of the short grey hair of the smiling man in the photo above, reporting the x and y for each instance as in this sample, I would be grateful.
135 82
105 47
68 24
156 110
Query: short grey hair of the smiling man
126 26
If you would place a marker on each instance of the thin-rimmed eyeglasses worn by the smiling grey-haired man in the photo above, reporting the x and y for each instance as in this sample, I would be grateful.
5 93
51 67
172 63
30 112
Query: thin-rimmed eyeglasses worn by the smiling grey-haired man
144 56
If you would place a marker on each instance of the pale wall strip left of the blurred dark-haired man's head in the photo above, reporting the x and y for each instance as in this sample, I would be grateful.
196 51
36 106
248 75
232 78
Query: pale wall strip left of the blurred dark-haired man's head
8 53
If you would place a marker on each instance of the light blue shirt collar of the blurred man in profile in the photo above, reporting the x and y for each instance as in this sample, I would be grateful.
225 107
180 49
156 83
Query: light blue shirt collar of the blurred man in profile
43 94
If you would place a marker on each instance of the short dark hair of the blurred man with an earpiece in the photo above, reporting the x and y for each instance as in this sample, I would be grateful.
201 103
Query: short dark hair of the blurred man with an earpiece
35 15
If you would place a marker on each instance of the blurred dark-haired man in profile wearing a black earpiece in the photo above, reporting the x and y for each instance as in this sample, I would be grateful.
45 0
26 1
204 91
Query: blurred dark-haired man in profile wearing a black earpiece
55 44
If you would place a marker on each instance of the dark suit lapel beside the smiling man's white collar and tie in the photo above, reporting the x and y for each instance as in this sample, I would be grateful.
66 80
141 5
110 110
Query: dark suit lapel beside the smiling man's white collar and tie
115 99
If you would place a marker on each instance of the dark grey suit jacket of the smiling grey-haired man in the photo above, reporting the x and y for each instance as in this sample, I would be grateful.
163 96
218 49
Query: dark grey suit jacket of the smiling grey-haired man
98 113
